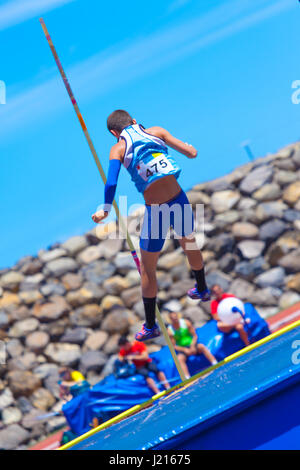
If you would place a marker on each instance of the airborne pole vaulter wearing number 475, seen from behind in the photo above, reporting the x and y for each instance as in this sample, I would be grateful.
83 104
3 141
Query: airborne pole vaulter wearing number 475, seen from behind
144 153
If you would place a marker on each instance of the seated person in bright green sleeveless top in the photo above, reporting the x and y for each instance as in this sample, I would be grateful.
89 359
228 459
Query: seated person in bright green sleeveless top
184 339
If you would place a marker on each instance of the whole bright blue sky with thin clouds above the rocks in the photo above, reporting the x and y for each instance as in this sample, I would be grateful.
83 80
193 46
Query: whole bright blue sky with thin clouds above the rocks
213 72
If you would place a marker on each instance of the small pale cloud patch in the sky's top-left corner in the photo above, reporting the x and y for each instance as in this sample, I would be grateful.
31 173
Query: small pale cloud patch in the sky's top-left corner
18 11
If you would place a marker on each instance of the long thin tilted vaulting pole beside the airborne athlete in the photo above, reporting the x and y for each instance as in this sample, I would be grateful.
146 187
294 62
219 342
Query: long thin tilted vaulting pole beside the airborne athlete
103 176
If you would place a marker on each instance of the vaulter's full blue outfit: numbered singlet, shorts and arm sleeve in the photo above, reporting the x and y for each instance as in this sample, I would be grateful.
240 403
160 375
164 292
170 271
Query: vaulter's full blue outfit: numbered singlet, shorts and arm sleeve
147 160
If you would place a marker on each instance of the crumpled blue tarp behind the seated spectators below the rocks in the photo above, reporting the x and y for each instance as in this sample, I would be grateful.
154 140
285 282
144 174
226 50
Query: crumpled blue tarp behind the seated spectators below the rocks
112 396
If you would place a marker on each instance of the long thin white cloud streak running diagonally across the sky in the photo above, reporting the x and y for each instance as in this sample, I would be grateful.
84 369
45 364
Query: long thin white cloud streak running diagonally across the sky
100 74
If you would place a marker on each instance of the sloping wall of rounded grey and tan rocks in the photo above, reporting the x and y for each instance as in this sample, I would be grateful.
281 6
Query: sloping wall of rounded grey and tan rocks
69 304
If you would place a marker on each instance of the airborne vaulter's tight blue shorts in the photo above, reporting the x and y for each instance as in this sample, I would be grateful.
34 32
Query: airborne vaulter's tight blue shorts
158 218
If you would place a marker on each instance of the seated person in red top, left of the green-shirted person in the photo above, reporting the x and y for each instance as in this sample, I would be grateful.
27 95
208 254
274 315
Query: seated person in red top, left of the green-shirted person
136 352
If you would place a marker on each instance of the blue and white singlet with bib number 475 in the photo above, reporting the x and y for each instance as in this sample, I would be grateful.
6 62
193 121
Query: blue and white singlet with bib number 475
146 157
